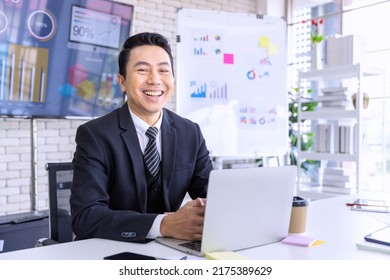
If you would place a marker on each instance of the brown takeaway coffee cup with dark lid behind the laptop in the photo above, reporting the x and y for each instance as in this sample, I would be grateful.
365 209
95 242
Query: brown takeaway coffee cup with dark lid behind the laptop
298 215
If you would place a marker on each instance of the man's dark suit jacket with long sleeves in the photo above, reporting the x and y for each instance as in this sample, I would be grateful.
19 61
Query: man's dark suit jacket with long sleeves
109 192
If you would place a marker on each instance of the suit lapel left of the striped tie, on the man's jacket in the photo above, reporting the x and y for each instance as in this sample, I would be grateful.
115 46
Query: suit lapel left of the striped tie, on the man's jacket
129 137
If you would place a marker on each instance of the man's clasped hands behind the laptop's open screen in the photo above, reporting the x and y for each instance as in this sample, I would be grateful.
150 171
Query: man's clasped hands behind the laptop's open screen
186 223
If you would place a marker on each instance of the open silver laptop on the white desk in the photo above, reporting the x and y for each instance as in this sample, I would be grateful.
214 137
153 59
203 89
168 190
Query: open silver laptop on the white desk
245 208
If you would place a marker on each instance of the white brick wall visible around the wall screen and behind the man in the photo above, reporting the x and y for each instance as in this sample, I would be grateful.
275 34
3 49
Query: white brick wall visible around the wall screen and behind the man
56 136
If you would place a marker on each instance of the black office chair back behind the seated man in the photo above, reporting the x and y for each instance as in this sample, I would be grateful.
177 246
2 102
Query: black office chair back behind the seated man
60 176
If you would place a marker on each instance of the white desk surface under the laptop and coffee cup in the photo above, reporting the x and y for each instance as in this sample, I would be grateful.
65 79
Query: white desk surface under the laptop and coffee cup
328 219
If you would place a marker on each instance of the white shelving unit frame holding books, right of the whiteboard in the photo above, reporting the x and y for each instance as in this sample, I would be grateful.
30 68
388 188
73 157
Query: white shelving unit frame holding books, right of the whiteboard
324 77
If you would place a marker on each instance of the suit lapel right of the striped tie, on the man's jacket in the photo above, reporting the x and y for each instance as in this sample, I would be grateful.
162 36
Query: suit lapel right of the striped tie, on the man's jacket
169 148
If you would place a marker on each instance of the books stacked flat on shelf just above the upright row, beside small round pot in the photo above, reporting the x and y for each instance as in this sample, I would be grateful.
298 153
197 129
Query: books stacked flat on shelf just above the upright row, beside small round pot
335 97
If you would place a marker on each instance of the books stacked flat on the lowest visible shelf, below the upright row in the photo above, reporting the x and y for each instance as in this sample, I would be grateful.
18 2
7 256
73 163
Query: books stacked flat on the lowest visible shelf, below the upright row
338 180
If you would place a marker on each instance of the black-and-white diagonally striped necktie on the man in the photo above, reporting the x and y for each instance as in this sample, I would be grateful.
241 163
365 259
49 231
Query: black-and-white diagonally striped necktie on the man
151 156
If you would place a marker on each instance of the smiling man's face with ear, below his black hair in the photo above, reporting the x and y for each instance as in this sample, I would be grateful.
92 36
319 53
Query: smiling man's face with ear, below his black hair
148 83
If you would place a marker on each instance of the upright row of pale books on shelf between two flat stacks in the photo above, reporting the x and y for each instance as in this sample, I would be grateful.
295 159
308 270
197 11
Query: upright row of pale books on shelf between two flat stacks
334 137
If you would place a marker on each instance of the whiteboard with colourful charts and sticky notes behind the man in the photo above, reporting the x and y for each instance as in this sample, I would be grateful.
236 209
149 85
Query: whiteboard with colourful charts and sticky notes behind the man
231 80
